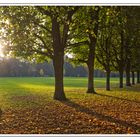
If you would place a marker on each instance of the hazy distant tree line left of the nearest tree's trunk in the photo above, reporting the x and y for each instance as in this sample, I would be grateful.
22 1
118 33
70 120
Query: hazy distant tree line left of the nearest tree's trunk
14 68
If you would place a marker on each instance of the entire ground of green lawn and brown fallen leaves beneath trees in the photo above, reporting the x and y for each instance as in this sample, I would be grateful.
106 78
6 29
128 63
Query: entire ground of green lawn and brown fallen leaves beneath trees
28 107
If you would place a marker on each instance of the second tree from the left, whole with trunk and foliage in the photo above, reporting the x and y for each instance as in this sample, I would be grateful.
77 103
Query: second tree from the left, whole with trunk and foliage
85 41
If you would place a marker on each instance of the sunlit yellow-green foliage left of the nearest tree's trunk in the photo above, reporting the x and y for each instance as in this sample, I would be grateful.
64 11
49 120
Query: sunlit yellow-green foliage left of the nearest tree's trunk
25 36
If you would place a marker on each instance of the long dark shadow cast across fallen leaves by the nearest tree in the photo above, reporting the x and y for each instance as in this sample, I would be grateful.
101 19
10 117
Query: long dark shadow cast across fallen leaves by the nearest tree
99 115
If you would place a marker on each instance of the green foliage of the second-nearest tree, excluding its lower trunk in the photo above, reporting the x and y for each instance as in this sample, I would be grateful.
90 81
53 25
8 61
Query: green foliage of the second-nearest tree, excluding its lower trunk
85 24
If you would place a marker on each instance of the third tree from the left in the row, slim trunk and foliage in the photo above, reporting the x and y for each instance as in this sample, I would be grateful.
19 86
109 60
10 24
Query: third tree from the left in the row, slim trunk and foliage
104 50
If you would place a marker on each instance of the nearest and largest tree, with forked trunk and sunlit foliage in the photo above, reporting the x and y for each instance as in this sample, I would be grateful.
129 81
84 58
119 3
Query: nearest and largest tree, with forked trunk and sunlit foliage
46 30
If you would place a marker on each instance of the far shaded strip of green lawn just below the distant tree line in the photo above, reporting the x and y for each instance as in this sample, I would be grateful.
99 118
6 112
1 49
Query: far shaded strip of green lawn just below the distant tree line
49 81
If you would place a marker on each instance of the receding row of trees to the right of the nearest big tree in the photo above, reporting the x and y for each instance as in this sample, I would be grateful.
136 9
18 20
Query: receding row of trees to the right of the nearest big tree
112 35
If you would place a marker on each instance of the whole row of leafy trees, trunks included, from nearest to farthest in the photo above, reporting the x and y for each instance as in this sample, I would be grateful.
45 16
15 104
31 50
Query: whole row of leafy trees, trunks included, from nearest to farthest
105 37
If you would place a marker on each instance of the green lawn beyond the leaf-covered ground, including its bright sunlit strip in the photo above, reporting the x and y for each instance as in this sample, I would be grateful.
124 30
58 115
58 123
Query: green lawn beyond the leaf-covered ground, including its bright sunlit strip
44 86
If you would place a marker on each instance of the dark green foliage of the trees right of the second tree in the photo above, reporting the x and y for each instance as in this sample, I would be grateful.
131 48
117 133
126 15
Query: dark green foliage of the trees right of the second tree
121 27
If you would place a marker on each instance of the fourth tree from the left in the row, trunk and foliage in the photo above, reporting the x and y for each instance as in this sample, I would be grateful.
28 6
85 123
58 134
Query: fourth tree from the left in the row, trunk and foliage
118 27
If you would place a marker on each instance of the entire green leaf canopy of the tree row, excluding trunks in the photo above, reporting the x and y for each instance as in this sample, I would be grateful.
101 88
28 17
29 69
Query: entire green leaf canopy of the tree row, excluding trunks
26 31
